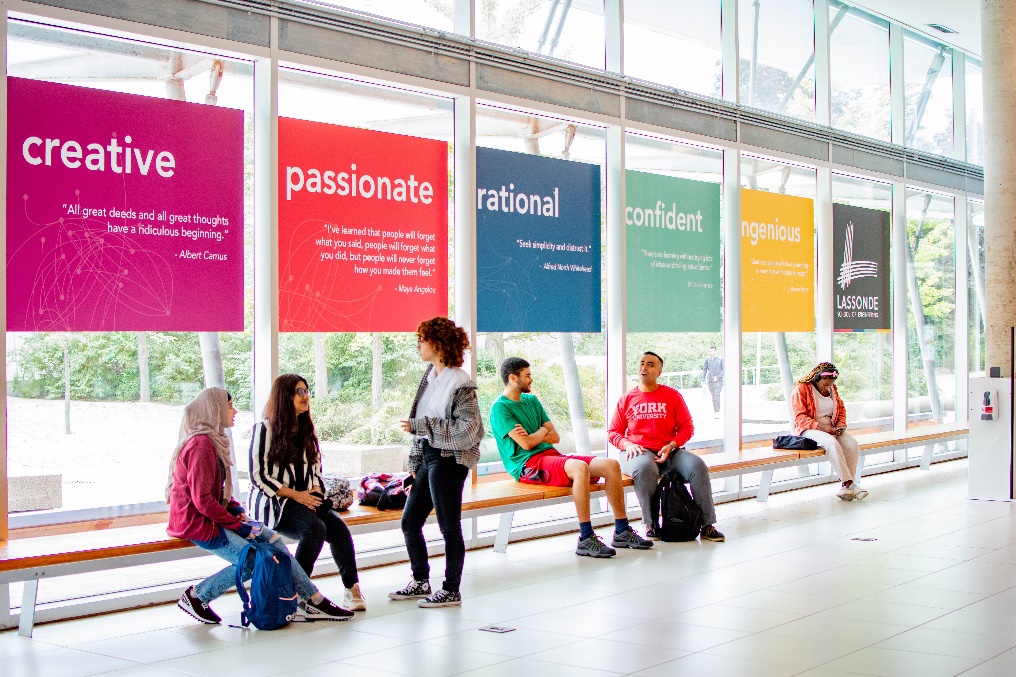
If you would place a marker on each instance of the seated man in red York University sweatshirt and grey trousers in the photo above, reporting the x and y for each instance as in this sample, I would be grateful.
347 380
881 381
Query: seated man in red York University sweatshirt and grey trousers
650 428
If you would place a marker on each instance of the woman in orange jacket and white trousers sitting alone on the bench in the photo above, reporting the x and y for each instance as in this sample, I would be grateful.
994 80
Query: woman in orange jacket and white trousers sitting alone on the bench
819 414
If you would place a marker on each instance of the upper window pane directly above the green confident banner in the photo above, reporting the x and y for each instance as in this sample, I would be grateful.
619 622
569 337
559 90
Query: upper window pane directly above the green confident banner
660 34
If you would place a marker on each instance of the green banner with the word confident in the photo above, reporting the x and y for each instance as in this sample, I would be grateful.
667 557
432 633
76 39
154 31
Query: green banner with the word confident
673 255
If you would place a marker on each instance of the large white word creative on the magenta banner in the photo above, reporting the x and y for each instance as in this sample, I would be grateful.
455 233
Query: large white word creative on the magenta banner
37 151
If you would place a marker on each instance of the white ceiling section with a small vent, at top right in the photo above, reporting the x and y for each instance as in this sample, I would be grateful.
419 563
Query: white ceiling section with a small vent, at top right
962 16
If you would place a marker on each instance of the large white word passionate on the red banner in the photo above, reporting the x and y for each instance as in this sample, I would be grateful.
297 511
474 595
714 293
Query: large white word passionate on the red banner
364 186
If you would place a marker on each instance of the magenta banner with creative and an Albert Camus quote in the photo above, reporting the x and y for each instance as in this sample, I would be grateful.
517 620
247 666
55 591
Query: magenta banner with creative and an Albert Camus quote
124 213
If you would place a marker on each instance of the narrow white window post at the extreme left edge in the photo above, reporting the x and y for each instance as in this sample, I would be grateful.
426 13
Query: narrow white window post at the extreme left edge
4 283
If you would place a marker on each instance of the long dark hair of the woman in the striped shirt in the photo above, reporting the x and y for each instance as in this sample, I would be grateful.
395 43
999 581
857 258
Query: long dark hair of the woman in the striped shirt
293 437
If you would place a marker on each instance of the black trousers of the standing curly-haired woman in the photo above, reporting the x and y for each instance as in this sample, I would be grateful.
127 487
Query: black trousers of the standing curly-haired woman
438 487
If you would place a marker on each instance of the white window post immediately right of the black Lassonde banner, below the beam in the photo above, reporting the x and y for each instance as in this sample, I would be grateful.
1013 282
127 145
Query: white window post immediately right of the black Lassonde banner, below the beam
900 295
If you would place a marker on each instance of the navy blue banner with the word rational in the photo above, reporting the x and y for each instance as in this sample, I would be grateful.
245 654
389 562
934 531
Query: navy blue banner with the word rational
538 243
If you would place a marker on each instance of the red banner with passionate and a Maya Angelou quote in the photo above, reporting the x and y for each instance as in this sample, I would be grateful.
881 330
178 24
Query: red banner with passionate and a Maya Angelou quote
363 229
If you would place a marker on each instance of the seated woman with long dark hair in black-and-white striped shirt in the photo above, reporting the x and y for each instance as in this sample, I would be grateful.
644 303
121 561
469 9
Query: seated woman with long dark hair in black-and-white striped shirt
287 490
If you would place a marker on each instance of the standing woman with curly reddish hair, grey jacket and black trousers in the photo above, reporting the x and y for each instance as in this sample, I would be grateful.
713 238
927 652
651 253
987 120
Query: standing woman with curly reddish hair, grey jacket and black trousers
447 432
